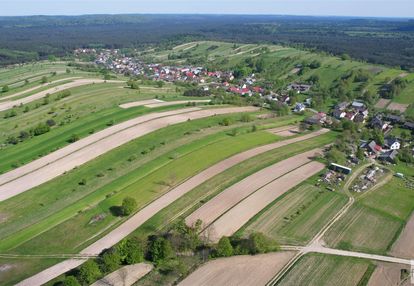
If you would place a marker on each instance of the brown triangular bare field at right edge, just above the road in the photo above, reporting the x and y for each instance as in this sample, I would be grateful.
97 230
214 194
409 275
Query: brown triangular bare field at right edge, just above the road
404 245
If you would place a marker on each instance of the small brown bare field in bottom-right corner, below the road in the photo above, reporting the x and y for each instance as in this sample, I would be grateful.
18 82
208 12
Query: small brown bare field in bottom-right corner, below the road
387 274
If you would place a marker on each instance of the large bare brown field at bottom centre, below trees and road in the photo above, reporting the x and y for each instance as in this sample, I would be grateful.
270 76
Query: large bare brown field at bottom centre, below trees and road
239 270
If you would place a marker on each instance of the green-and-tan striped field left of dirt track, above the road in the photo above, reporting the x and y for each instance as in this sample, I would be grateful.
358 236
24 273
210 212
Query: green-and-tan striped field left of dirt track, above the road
297 217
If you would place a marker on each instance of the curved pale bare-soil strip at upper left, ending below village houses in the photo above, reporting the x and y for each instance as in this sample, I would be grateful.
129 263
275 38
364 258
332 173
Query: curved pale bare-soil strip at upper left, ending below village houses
10 104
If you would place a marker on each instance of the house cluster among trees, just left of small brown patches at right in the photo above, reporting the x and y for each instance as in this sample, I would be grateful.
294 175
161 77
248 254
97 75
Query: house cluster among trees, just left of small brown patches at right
355 111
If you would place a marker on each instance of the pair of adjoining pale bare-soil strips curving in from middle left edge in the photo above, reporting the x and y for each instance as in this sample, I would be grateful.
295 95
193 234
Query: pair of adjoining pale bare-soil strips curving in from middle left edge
61 161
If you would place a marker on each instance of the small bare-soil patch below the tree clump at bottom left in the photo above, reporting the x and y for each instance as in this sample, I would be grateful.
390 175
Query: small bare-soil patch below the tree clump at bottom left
126 276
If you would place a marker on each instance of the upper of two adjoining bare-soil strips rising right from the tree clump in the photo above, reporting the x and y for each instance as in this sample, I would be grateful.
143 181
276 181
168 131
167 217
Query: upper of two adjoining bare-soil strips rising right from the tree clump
227 199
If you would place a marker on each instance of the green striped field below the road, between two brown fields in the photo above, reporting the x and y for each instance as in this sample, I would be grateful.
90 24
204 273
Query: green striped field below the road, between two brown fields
319 269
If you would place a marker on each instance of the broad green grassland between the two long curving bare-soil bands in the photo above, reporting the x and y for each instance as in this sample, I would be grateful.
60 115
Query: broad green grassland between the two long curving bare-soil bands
159 169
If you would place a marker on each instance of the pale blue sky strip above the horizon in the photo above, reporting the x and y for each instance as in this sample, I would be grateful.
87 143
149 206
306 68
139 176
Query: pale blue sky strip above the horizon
370 8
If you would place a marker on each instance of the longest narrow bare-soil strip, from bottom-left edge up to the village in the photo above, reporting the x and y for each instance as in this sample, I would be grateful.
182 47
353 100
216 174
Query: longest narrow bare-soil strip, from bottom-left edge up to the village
153 208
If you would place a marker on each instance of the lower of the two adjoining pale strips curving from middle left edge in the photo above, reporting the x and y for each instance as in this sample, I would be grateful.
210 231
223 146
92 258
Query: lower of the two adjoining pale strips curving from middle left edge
92 151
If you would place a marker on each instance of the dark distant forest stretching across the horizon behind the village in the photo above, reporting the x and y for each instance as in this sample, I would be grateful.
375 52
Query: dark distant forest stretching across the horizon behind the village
385 41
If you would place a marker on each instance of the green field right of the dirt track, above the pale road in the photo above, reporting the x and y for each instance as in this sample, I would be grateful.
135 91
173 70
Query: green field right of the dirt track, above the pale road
373 223
